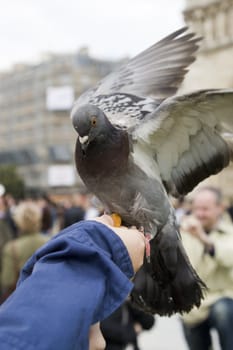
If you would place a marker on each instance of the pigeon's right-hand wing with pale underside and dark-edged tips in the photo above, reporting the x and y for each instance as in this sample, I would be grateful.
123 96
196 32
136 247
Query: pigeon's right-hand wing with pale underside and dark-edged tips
190 137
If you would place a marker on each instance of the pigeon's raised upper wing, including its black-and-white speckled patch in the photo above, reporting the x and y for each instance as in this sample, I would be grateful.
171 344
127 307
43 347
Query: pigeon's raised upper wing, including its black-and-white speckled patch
155 73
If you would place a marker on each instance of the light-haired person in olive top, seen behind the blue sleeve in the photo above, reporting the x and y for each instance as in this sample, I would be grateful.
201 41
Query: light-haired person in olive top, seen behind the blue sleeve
15 253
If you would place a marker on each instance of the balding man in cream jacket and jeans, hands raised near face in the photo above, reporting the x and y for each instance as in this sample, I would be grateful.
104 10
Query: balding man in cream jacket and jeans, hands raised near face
208 241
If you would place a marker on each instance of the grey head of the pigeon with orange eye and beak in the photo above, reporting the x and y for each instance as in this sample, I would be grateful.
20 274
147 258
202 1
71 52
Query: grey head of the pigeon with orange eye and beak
90 123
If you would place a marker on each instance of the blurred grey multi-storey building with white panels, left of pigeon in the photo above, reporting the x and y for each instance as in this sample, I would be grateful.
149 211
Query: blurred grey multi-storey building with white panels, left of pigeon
36 133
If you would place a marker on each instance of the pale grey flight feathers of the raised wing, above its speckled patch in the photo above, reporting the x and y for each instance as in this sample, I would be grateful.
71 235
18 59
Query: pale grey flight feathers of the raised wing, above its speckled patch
156 72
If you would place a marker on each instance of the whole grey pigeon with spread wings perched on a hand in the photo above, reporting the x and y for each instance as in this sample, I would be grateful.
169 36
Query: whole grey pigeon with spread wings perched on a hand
138 142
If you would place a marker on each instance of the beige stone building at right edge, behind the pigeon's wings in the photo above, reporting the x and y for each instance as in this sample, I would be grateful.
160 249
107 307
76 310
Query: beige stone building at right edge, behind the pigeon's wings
212 20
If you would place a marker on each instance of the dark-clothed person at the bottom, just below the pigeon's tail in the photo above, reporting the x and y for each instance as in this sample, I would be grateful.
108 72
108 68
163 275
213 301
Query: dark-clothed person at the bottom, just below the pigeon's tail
123 327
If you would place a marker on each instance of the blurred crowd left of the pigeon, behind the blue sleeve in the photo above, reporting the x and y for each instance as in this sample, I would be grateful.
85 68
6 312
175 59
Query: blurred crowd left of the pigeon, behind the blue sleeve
27 224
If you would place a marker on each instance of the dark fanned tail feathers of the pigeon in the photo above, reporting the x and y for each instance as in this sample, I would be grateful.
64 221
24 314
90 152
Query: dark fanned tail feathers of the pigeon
169 284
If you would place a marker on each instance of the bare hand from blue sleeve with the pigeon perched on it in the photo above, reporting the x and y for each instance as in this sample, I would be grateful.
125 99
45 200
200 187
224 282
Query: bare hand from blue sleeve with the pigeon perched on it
133 239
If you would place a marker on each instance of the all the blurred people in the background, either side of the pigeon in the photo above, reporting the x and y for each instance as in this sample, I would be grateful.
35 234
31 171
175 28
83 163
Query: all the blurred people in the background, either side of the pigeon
206 225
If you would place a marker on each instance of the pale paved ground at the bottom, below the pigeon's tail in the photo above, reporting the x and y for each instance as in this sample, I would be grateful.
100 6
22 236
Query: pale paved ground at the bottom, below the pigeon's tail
166 335
